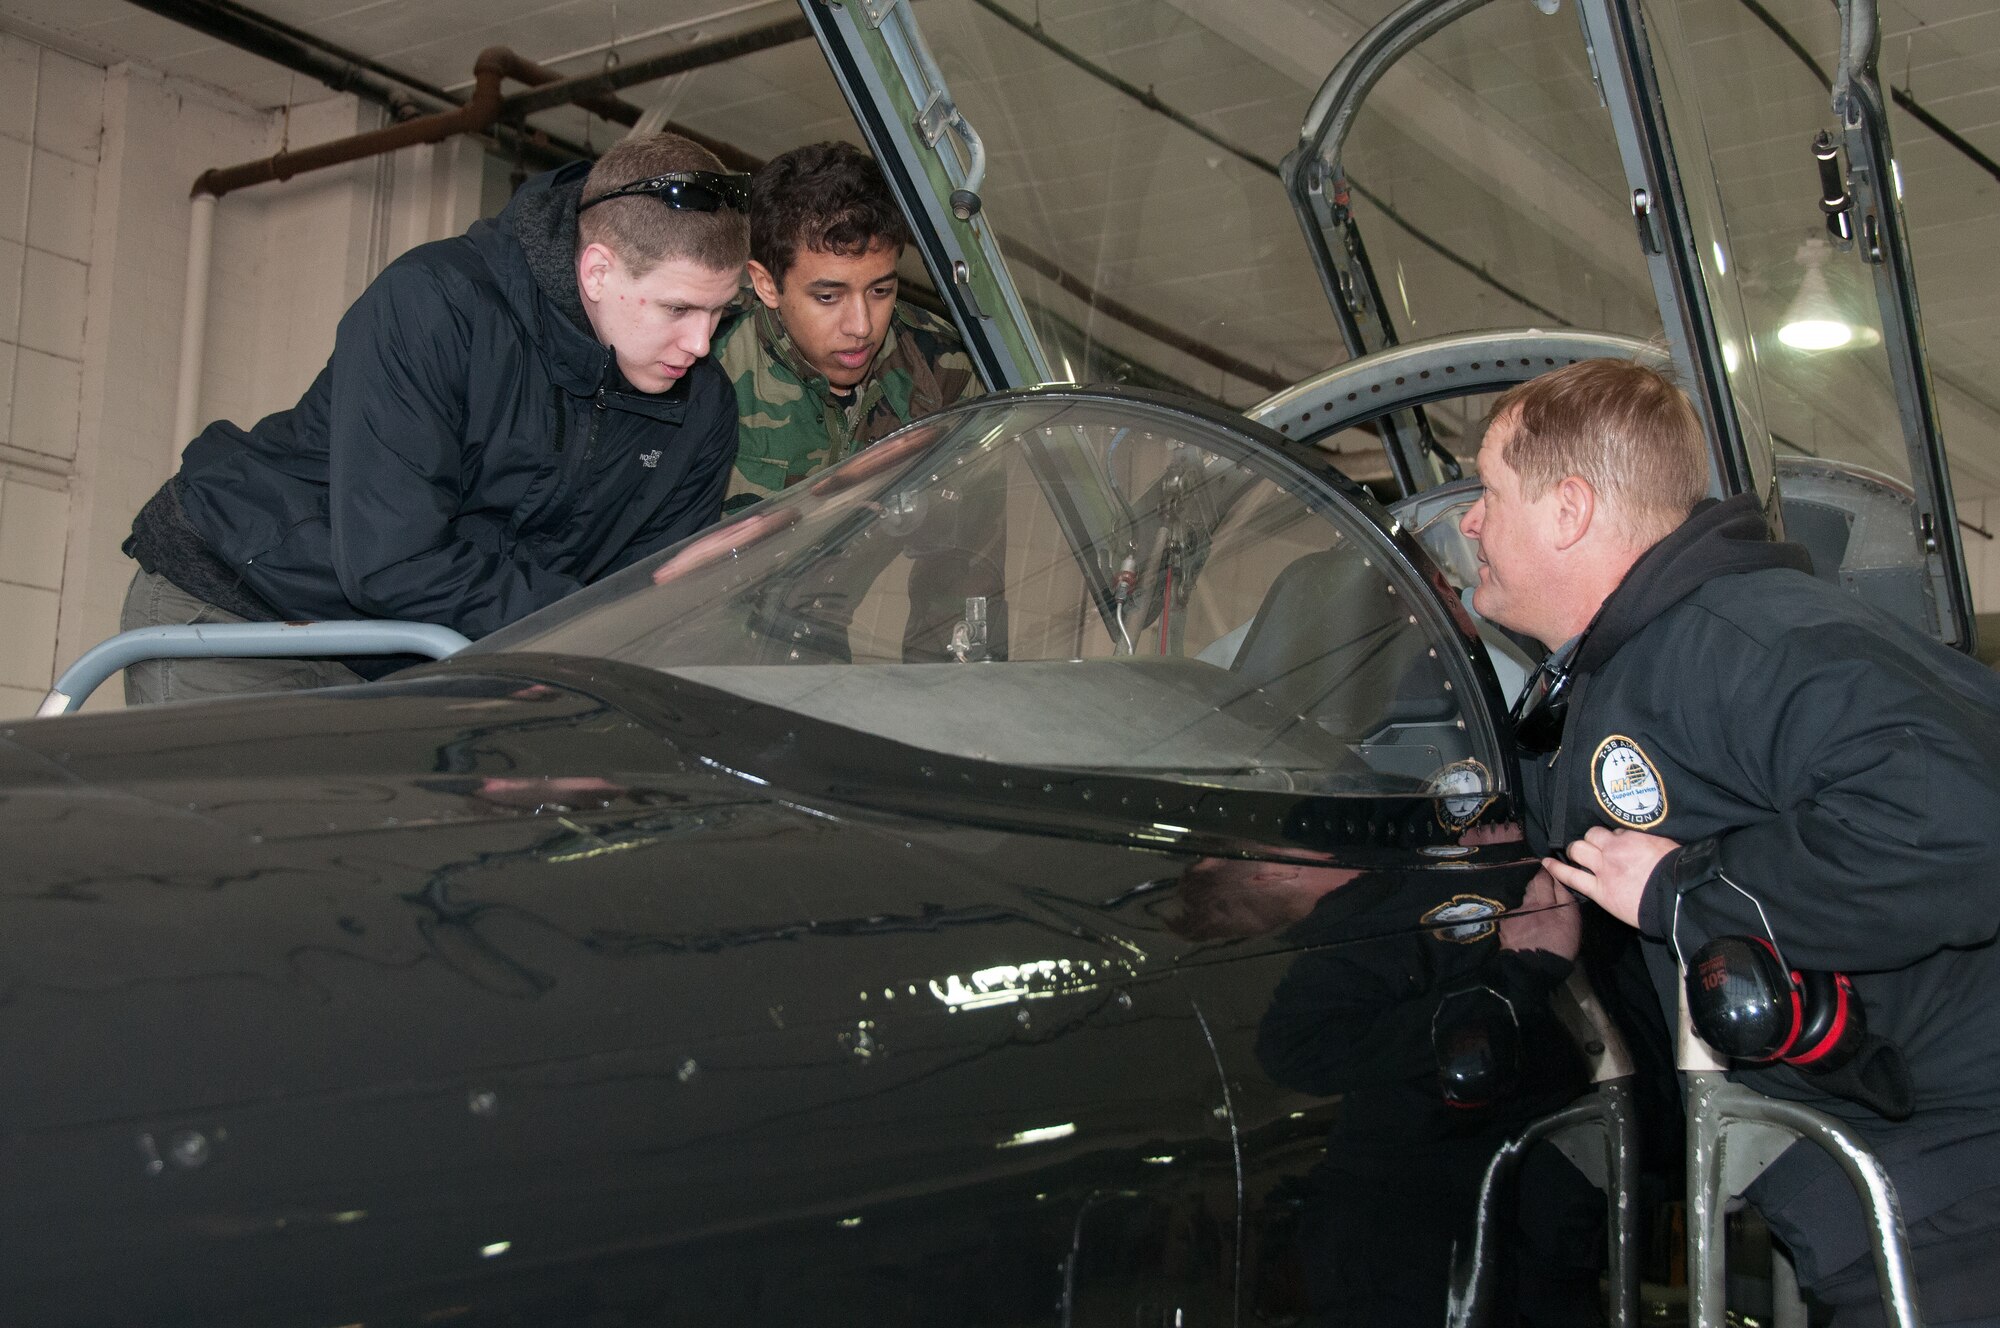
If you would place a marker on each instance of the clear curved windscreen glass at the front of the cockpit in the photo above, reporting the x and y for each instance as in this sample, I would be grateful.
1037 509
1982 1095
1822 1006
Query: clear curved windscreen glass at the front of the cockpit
1075 583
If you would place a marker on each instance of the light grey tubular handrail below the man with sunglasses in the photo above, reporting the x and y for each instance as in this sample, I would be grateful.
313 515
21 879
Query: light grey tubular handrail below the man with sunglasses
245 641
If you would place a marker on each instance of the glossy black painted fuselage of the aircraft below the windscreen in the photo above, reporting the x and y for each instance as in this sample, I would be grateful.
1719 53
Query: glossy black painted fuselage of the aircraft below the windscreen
557 991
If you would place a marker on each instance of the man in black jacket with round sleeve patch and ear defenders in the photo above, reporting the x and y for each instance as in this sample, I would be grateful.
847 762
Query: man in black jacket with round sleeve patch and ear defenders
1745 737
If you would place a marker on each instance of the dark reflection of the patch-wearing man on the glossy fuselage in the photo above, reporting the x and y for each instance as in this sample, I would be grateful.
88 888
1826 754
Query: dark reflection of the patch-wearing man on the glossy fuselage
1423 1053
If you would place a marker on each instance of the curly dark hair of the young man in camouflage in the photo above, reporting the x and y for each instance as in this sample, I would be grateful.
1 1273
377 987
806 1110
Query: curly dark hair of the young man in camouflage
827 197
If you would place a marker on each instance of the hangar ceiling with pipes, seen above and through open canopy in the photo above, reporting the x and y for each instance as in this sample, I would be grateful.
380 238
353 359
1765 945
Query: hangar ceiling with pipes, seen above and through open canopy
1133 149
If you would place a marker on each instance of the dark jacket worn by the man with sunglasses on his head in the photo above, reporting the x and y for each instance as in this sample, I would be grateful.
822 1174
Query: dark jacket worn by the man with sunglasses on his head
471 451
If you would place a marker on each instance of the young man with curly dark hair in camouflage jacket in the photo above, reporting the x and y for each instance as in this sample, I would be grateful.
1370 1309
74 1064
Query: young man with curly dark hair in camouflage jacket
827 359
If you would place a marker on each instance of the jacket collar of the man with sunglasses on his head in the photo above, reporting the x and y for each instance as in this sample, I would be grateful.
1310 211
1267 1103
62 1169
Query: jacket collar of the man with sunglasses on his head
531 251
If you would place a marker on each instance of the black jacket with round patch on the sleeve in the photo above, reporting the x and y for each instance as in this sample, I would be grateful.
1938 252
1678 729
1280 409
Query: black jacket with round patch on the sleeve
1847 771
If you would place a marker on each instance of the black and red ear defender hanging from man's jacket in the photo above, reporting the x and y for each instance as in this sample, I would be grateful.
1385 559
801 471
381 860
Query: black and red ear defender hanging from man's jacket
1749 1007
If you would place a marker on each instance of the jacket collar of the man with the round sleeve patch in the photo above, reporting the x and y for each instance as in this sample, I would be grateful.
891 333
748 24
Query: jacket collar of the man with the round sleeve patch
1719 539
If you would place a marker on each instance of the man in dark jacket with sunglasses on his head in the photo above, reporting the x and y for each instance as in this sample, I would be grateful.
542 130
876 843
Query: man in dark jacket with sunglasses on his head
507 417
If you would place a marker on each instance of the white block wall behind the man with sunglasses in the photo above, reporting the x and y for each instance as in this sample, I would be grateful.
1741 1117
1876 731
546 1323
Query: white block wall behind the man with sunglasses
95 177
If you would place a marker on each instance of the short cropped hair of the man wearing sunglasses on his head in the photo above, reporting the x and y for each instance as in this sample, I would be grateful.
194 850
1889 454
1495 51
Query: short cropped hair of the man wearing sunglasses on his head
647 233
